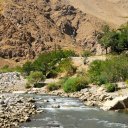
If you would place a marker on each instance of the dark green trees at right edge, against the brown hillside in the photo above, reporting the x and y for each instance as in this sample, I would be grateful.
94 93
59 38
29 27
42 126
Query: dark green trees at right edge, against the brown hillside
116 39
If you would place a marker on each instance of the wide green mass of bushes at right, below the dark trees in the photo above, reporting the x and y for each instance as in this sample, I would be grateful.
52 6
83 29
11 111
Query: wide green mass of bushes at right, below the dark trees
112 70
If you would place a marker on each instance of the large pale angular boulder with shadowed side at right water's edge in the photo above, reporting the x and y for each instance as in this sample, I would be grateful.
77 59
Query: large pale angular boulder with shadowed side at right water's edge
117 103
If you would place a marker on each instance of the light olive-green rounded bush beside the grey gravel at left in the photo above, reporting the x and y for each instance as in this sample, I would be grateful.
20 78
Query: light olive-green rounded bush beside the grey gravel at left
35 77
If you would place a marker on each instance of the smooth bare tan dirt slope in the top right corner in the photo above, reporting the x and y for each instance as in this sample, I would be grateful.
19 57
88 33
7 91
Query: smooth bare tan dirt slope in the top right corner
111 11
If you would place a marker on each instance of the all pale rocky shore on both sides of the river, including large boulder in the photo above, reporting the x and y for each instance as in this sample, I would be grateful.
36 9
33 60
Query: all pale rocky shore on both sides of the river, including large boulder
15 109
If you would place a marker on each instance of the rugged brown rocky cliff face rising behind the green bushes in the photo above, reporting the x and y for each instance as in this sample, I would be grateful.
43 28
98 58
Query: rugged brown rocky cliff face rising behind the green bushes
28 27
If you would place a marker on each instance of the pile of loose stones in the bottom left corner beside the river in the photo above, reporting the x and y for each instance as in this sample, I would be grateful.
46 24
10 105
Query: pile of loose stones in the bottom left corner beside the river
15 109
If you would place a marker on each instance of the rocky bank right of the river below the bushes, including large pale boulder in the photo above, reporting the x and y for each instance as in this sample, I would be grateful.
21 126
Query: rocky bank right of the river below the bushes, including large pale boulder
94 96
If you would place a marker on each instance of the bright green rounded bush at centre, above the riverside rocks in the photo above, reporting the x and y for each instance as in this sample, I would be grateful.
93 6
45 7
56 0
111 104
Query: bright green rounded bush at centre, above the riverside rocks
75 84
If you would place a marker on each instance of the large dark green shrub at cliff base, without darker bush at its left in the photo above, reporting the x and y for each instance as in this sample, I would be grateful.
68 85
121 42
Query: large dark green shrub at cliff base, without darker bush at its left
46 62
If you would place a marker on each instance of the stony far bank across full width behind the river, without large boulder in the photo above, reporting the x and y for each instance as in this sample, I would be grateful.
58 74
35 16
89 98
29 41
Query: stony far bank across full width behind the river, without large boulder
93 95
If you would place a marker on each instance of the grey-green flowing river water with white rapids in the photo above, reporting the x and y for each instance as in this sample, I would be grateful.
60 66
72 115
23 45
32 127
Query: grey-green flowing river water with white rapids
73 114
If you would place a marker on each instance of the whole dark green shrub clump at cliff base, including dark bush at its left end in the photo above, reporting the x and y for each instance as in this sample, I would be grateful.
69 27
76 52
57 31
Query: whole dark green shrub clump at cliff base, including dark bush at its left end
46 62
